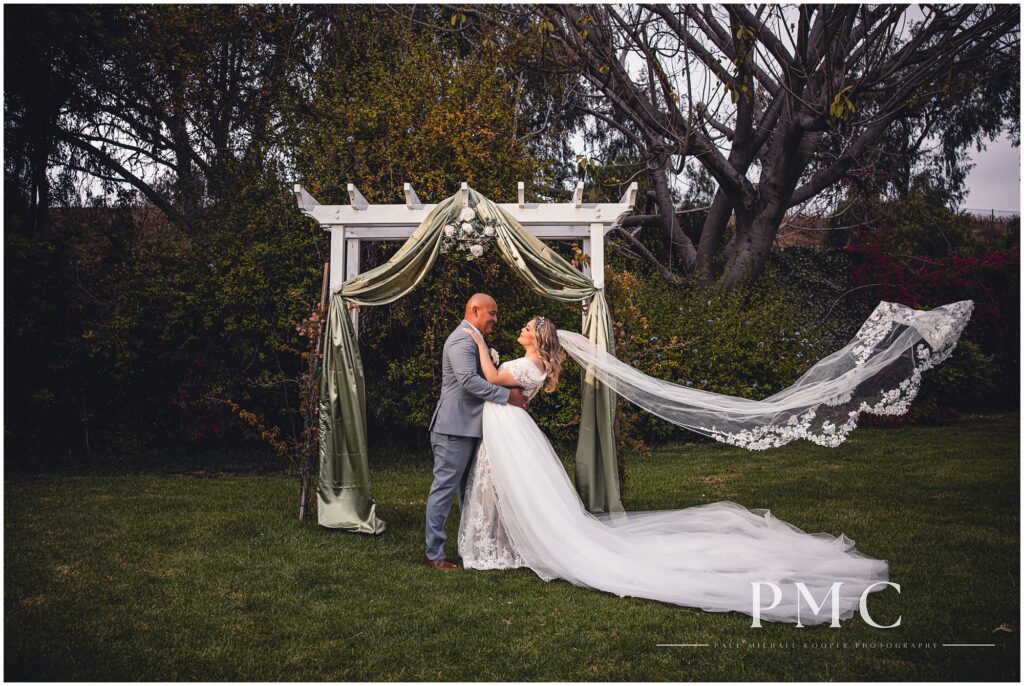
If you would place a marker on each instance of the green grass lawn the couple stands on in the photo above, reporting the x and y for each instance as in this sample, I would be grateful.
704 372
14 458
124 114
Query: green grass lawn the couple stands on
161 577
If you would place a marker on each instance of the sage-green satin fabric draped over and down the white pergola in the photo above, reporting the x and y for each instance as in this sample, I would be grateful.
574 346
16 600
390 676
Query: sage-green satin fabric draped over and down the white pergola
345 495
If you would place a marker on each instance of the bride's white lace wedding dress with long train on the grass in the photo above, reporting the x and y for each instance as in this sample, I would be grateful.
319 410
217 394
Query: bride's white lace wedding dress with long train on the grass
523 511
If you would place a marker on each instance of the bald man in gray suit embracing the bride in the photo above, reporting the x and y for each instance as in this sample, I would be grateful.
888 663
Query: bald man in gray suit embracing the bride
455 428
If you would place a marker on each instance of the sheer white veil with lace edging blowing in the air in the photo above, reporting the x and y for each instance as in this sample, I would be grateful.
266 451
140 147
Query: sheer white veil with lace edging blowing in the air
879 372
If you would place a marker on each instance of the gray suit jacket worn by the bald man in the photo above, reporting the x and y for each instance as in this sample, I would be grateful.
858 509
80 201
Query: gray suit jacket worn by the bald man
464 390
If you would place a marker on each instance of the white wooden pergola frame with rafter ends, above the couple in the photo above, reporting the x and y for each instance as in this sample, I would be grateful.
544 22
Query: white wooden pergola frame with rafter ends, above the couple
358 222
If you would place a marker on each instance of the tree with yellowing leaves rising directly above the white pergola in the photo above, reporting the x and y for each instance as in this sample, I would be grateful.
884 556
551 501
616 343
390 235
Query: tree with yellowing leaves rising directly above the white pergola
415 100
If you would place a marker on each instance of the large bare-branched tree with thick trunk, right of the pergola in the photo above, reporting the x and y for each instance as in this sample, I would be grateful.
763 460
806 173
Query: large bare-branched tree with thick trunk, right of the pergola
778 104
